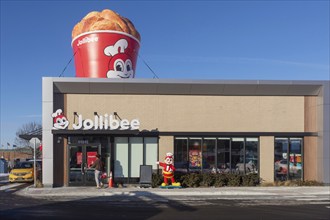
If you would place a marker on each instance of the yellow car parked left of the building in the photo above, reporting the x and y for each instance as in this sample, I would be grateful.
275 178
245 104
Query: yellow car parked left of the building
22 172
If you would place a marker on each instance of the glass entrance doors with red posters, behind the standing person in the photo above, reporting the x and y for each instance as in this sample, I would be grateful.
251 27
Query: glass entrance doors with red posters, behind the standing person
80 159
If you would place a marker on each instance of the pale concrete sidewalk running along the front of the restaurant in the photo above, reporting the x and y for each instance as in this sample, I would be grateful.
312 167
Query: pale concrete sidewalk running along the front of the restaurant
153 193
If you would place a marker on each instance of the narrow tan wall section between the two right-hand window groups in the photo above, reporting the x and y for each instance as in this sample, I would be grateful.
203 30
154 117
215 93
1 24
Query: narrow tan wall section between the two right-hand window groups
267 158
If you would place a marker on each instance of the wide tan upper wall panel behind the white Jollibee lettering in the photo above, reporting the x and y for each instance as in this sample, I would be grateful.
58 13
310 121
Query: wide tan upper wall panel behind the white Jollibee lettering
196 113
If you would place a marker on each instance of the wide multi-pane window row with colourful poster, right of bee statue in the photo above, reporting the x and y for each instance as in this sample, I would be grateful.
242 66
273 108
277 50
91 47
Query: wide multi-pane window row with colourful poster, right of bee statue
217 155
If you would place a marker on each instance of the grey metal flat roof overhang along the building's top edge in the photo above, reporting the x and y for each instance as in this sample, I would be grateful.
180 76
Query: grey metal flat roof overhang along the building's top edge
187 86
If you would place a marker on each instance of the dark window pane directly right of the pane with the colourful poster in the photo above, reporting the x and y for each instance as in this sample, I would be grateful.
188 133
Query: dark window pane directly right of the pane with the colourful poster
208 159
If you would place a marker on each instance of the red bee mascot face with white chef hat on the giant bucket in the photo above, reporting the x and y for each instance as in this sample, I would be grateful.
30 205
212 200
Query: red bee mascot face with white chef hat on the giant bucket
120 64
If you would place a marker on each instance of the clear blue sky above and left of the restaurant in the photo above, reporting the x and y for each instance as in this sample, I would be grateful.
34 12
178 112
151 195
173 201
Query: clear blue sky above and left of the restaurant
256 40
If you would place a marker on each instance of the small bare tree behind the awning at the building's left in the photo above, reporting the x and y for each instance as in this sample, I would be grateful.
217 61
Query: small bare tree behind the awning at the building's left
27 129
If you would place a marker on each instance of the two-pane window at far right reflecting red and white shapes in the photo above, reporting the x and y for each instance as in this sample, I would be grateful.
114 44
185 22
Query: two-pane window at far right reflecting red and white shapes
288 158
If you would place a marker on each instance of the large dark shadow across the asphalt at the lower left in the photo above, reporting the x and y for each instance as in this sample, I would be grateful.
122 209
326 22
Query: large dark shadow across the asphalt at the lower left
133 205
